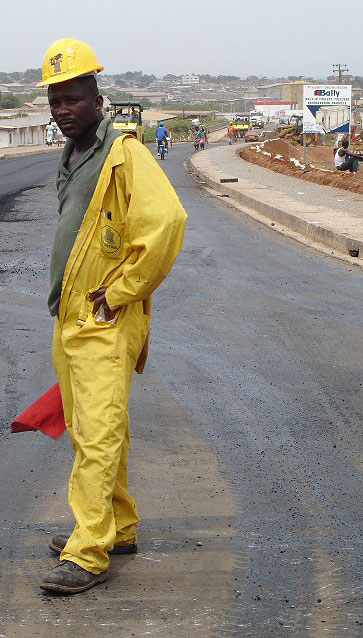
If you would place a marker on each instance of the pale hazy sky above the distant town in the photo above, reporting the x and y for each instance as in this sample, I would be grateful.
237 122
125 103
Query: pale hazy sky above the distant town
261 37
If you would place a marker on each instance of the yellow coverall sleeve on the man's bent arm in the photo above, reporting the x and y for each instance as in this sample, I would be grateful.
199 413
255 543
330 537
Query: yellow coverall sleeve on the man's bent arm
155 223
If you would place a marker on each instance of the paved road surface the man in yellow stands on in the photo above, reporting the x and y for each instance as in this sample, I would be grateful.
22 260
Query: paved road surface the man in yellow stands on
246 438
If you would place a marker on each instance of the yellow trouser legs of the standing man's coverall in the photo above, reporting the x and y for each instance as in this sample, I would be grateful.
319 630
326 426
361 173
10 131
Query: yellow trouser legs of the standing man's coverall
94 364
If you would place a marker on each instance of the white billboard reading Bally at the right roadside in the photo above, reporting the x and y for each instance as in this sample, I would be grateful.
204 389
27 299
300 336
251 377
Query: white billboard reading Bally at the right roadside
327 108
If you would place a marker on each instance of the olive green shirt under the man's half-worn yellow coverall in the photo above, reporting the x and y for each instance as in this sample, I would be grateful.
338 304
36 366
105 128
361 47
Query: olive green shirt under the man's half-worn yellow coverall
75 189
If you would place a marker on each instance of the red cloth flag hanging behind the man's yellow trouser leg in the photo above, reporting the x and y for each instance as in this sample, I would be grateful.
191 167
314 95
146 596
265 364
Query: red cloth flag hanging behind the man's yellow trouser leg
46 415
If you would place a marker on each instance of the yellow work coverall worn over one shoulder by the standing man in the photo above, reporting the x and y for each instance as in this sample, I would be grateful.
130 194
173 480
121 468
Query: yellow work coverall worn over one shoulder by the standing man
130 254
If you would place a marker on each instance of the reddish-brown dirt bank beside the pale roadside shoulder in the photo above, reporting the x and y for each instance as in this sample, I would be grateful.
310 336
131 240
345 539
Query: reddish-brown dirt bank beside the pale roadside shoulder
282 157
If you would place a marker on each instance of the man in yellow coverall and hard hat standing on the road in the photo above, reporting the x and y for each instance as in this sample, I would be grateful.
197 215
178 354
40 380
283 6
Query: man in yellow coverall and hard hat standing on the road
120 229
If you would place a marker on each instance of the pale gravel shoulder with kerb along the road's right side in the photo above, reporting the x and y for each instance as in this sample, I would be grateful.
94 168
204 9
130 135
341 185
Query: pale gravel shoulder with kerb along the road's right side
330 230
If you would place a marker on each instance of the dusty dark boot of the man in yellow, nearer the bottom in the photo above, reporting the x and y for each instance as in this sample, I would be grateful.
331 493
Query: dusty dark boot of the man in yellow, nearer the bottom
69 578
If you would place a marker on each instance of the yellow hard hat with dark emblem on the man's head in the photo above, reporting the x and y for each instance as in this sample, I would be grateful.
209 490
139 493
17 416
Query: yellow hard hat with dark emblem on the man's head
67 59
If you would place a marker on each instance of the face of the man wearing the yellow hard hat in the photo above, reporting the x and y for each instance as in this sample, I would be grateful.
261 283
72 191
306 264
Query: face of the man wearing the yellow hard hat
73 107
